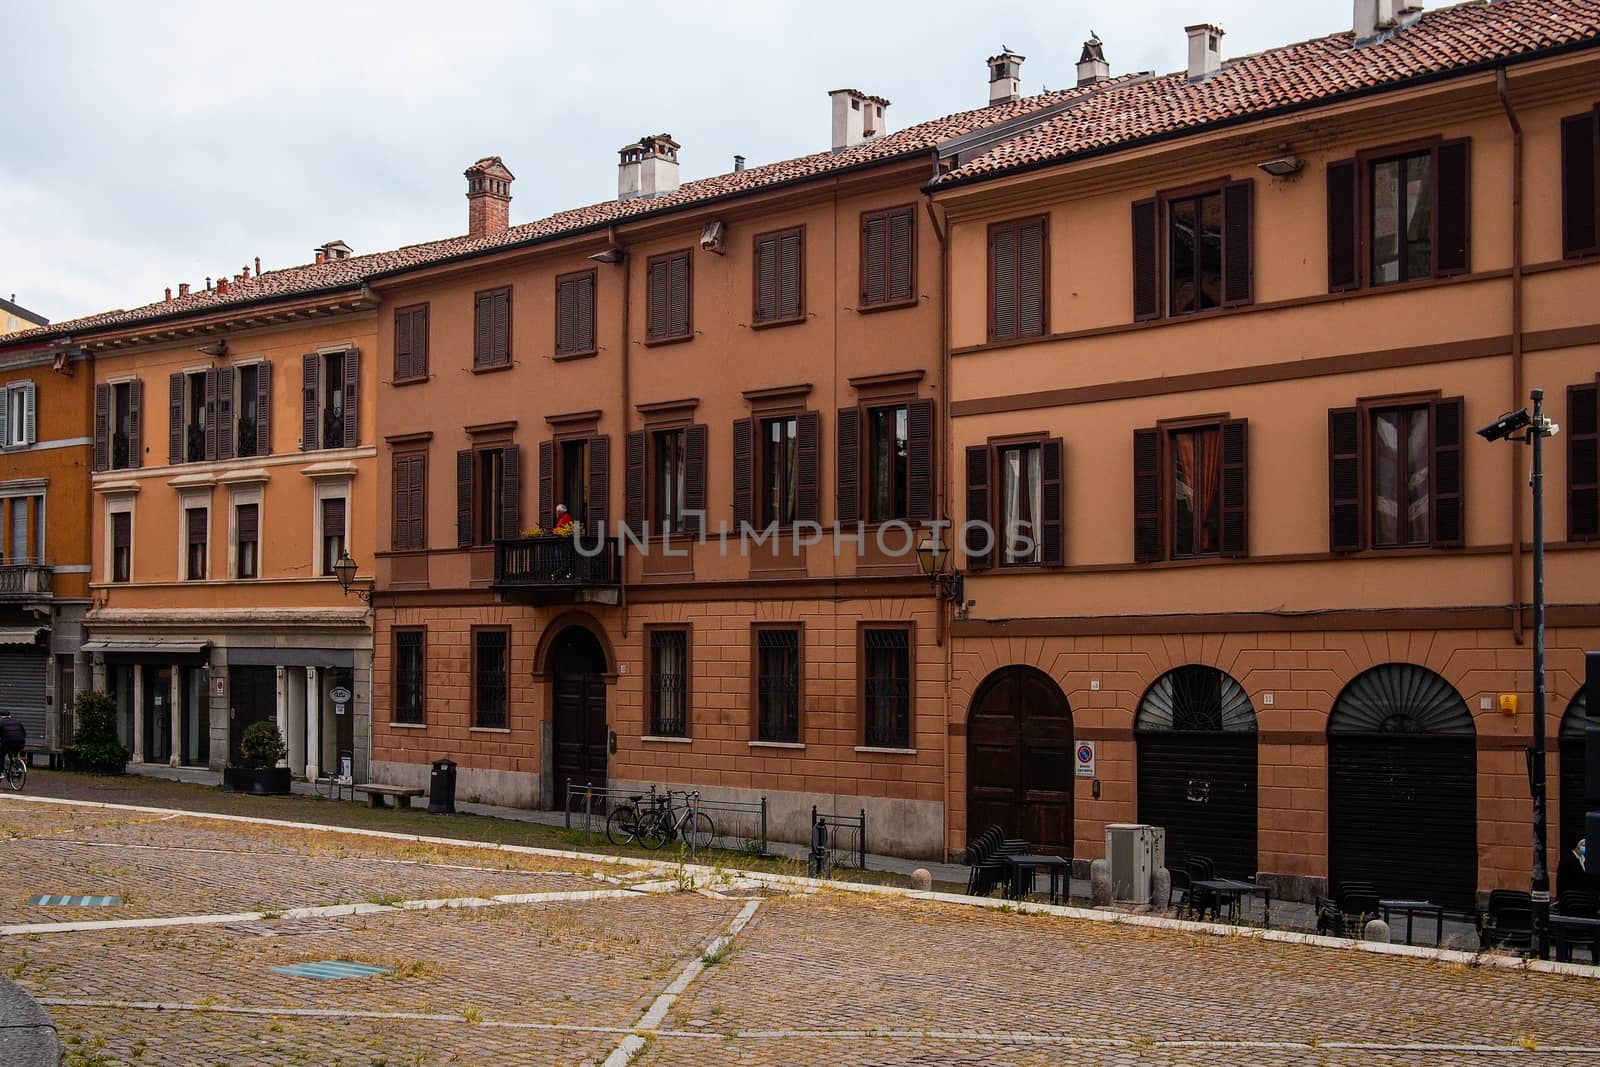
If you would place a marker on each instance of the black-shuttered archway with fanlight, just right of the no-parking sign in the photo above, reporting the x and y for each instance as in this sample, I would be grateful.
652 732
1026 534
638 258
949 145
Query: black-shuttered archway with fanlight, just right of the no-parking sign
1196 735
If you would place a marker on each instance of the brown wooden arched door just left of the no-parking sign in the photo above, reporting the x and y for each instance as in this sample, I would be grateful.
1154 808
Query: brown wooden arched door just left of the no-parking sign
1020 761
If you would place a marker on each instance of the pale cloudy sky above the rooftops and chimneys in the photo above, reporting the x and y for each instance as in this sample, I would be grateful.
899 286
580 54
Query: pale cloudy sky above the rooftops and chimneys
148 145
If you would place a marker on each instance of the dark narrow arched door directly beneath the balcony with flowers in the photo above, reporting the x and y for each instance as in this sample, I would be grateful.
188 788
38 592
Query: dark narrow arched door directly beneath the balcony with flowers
577 666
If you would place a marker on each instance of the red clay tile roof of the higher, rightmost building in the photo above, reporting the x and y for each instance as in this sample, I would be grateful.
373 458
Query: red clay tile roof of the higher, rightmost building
1297 76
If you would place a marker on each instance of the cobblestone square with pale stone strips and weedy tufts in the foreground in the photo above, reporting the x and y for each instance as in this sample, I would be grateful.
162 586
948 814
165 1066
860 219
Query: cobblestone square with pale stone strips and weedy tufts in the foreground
628 967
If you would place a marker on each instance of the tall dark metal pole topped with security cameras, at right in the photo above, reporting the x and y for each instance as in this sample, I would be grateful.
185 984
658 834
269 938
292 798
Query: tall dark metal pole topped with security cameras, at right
1532 430
